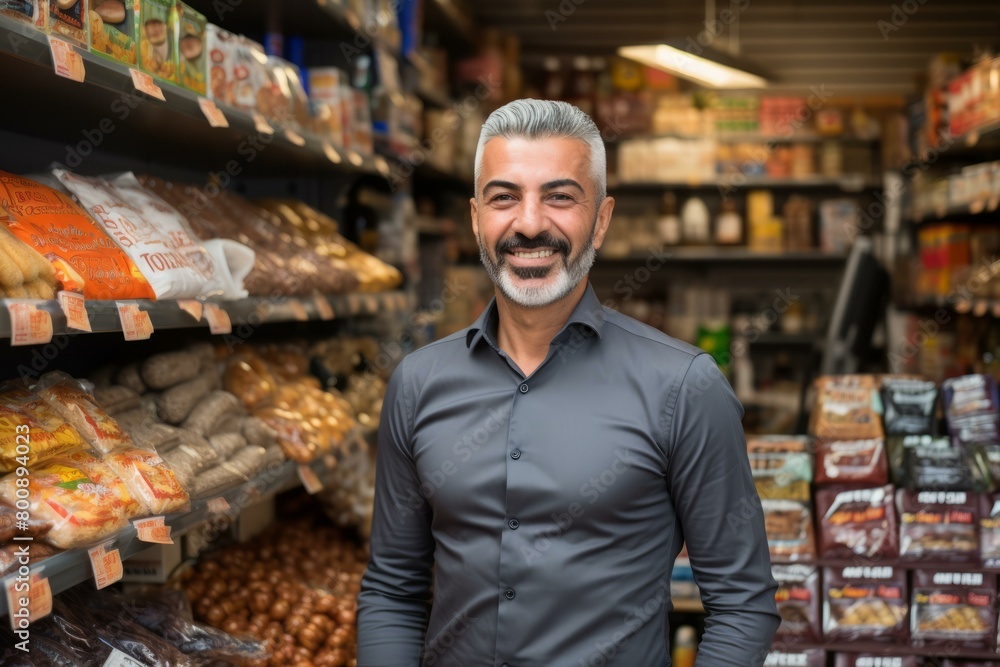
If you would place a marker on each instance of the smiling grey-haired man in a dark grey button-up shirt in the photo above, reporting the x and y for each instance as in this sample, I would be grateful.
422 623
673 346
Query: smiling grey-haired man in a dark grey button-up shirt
543 467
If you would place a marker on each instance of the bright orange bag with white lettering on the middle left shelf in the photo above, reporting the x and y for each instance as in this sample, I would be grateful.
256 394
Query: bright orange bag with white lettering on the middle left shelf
86 260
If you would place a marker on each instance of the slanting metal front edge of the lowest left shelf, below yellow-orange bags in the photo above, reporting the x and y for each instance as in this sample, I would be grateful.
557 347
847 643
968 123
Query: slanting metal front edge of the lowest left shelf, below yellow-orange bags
71 567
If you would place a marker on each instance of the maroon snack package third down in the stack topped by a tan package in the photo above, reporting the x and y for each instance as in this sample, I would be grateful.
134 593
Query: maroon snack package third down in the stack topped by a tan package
857 522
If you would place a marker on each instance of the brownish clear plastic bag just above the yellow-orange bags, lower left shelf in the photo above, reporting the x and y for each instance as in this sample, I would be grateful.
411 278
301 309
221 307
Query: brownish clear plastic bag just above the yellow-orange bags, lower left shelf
76 405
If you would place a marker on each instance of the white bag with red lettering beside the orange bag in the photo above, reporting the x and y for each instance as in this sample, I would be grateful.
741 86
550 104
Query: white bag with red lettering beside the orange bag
164 255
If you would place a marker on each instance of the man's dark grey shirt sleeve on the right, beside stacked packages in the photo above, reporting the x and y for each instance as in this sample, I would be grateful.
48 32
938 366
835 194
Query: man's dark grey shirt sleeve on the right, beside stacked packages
721 518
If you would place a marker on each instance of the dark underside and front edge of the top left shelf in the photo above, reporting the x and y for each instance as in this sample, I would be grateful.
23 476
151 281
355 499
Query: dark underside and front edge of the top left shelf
108 114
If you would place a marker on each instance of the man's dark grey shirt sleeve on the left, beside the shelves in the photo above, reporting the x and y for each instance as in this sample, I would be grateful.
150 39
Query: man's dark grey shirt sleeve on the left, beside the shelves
395 591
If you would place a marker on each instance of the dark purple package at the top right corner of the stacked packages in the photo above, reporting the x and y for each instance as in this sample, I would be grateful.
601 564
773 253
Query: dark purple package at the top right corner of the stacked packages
972 408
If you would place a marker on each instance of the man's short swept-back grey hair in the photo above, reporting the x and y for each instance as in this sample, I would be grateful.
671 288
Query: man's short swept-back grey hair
542 119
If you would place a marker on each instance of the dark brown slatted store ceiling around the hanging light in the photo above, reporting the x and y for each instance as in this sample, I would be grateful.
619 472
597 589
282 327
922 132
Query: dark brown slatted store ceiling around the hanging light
803 43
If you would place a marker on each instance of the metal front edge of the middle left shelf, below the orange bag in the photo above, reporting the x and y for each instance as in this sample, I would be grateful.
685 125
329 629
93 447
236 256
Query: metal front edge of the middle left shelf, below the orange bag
251 311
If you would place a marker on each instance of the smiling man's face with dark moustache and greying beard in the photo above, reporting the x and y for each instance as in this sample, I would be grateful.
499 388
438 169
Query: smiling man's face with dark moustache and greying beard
536 217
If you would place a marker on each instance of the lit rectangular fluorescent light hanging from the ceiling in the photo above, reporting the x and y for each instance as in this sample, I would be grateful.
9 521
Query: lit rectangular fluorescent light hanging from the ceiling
712 71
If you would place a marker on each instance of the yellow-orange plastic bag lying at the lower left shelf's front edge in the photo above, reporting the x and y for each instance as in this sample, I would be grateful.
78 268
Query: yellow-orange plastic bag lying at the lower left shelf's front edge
67 494
